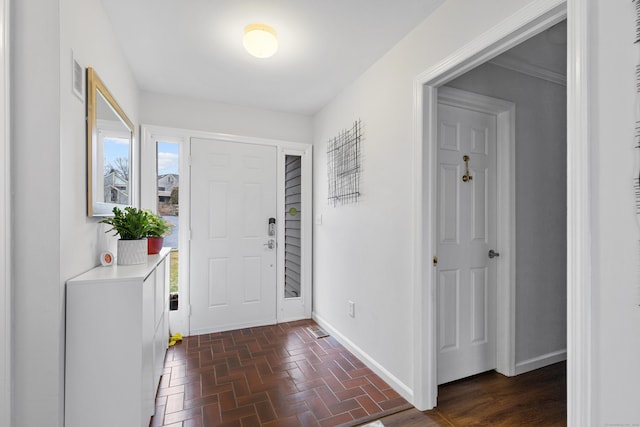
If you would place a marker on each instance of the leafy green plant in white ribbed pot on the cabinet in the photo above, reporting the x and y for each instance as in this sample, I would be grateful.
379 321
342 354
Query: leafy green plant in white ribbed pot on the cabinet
132 225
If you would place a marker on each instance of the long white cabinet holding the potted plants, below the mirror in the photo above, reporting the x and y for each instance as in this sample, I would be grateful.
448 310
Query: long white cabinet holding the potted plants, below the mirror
117 332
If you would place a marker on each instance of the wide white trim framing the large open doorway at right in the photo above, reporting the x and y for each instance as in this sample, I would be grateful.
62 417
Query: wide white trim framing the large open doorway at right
515 30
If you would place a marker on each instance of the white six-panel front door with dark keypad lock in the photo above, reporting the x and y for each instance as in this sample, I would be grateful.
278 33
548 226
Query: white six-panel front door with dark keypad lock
233 255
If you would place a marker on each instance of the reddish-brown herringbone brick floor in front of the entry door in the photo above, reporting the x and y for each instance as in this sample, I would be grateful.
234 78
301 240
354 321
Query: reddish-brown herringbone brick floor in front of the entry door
268 376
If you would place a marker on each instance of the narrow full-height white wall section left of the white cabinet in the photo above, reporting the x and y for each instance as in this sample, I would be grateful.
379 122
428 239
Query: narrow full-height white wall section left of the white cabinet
38 317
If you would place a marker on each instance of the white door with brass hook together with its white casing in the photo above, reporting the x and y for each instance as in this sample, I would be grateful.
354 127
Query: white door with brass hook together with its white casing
473 220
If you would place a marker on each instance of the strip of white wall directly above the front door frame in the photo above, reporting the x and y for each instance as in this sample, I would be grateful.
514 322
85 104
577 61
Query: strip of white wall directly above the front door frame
193 114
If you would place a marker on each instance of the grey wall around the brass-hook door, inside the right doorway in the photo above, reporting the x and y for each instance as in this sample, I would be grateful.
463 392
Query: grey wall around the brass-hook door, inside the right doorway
541 205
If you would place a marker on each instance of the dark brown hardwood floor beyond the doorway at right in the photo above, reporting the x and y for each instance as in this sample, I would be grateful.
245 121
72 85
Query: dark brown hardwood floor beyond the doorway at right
536 398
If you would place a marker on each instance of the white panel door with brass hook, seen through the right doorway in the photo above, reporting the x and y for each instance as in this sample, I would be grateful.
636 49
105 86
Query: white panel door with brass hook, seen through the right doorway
466 227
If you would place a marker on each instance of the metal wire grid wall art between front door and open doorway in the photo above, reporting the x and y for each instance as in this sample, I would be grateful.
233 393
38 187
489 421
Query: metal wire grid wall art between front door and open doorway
343 165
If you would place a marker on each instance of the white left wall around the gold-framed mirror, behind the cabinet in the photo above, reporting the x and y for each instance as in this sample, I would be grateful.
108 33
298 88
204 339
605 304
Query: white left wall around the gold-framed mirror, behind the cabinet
54 240
